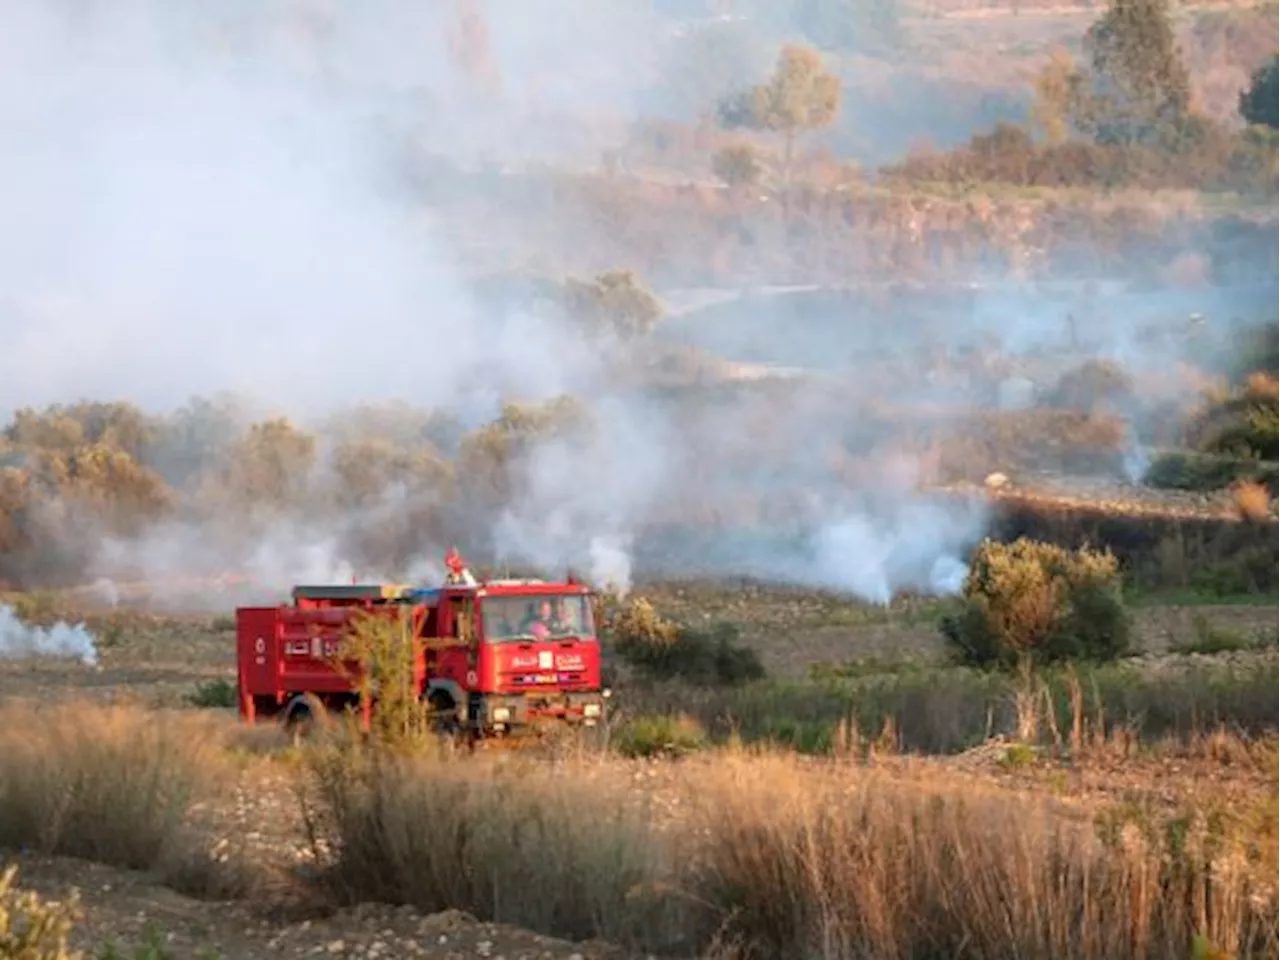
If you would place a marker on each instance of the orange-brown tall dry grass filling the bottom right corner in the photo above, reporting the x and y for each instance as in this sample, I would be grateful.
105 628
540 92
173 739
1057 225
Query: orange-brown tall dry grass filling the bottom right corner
870 867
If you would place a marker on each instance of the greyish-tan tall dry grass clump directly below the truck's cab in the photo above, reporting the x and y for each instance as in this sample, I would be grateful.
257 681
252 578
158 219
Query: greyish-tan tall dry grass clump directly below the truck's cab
554 849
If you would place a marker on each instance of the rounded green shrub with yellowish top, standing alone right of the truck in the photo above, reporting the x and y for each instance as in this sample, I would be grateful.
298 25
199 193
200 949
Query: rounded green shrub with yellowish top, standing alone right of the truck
1031 602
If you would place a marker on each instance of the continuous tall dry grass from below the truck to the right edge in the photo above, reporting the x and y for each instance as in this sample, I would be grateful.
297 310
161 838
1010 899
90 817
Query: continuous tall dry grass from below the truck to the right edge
764 856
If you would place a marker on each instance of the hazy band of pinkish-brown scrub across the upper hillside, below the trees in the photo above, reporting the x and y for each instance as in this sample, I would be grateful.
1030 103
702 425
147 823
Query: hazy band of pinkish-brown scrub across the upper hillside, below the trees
842 232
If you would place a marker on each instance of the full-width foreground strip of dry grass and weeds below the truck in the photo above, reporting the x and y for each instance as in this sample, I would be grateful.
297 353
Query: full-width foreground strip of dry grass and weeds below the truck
733 853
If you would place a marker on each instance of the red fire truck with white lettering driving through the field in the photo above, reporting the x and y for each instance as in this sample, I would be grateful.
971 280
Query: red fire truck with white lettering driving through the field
490 657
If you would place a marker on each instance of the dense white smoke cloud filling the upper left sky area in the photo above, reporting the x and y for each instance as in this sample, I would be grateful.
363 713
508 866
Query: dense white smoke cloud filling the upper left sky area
188 216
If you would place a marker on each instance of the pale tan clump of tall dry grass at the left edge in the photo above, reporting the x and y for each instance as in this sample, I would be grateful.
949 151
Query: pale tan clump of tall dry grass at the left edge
117 785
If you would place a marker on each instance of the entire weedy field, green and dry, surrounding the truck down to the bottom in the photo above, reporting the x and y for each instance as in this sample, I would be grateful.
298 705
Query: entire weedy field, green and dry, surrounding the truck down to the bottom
856 801
